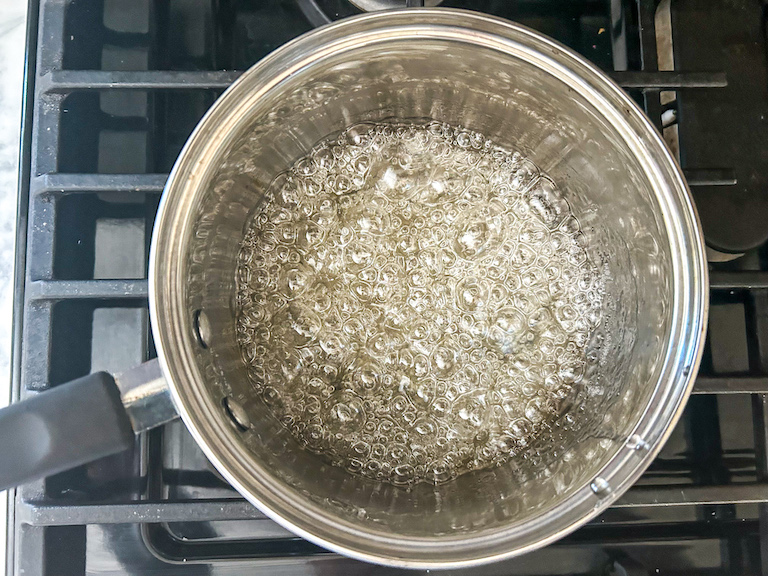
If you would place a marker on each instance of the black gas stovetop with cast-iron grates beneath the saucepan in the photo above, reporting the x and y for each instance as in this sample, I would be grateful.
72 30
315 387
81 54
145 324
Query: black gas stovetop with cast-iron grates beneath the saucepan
114 89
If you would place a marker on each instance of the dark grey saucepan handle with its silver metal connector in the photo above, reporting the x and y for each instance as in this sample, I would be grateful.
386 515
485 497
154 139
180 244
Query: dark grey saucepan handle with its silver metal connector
80 421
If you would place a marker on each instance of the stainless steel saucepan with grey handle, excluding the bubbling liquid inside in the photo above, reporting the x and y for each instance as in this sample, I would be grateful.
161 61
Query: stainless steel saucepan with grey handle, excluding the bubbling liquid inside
518 88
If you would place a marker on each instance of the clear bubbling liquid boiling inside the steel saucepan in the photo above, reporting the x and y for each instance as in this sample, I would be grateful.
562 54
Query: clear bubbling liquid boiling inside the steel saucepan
415 302
